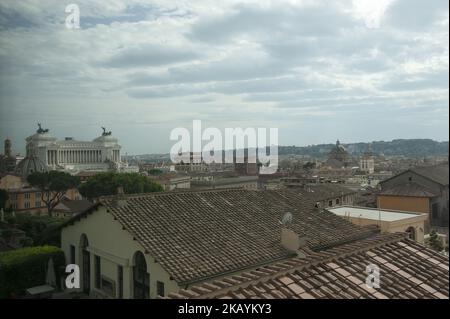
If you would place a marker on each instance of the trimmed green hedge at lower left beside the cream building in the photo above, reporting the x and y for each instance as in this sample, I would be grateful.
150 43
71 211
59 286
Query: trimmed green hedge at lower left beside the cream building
27 267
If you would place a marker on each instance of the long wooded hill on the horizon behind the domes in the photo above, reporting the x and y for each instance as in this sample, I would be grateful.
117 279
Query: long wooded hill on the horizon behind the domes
409 147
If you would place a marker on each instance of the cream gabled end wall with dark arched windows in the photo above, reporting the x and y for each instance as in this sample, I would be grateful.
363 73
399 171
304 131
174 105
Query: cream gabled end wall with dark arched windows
115 246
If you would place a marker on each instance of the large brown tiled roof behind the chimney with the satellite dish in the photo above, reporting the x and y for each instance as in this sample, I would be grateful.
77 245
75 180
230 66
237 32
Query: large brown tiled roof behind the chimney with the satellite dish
199 235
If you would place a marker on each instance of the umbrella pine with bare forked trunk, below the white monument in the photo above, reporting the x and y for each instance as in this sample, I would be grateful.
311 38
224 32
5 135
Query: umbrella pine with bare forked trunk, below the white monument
53 186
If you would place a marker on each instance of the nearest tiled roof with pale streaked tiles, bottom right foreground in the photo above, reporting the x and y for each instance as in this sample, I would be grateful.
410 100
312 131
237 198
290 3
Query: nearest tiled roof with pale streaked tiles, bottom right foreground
407 271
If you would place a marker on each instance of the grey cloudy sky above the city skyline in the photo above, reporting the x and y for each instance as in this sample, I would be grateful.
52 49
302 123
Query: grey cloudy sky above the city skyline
318 70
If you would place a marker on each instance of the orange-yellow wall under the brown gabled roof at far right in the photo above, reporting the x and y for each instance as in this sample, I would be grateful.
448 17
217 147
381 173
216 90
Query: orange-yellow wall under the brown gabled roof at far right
404 203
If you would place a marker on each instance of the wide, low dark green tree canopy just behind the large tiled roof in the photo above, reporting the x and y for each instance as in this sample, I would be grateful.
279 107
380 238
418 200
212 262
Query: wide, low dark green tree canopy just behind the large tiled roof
103 184
